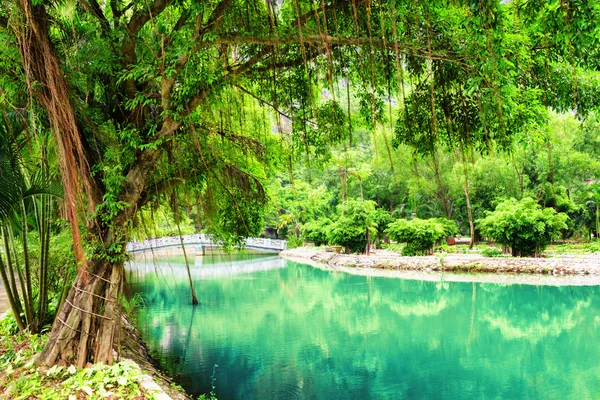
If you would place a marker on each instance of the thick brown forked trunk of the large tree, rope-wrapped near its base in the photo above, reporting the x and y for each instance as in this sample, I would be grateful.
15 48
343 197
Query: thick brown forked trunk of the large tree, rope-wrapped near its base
84 329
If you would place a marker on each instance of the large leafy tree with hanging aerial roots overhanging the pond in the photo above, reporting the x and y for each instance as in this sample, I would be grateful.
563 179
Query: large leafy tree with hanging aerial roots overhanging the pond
145 96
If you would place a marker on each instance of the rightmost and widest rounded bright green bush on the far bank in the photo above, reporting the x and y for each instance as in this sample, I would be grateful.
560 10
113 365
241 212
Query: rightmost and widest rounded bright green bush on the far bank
523 226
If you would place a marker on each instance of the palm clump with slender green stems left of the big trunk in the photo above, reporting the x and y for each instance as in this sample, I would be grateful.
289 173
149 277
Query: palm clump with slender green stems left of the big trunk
26 205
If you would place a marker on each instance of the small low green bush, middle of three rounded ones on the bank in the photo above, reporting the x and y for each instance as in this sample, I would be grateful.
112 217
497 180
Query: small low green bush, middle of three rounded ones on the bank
419 235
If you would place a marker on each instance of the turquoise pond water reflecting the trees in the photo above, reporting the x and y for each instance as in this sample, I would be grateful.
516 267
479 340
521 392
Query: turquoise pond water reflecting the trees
267 328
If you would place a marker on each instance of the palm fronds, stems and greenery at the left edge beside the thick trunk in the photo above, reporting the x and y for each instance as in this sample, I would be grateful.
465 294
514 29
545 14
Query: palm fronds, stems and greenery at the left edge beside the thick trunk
28 220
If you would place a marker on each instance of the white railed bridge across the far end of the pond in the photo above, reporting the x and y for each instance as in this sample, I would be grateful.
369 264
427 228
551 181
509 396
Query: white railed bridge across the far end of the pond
202 241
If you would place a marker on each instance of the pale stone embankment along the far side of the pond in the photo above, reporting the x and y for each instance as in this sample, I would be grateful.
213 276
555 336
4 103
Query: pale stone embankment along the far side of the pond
585 266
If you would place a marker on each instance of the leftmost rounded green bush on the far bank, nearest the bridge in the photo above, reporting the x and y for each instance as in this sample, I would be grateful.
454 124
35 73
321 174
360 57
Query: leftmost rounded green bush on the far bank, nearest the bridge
350 229
